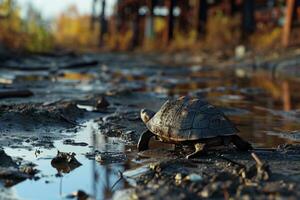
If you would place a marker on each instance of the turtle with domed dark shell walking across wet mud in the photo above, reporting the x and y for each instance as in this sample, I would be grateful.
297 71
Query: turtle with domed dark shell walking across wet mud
190 121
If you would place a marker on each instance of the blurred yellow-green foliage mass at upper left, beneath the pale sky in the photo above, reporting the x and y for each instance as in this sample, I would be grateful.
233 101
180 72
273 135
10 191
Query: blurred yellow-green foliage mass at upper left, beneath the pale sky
32 33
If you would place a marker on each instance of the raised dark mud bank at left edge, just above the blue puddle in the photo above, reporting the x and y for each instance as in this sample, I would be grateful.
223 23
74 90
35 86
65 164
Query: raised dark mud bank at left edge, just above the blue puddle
36 124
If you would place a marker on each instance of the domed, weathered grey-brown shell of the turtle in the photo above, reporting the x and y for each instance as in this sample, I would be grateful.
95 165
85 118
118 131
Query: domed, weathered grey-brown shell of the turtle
187 119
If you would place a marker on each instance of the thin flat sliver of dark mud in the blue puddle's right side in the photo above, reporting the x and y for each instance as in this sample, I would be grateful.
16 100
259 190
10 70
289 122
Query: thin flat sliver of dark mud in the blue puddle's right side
107 157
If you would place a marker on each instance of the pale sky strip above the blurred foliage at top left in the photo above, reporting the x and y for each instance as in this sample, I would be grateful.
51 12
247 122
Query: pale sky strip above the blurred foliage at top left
52 8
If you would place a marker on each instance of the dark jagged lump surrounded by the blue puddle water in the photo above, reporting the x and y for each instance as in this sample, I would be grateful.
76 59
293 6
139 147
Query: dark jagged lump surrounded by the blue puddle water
65 162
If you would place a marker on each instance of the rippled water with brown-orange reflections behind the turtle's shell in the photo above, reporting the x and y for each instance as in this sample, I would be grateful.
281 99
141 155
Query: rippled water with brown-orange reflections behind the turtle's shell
260 103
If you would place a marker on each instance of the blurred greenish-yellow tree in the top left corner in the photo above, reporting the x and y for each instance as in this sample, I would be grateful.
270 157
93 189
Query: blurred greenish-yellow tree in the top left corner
30 33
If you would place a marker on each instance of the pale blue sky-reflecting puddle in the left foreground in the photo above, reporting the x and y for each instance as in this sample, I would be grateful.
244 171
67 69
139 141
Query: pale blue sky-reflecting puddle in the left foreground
91 177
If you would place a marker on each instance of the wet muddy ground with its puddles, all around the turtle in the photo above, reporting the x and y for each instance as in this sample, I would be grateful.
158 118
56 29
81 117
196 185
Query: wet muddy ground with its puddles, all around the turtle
69 125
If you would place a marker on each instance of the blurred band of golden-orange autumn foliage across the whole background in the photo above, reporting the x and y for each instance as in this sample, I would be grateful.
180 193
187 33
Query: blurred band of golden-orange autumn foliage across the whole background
71 30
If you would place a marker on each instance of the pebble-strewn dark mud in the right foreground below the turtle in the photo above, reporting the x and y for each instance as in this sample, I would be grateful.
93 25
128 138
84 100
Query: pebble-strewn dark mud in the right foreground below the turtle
212 177
